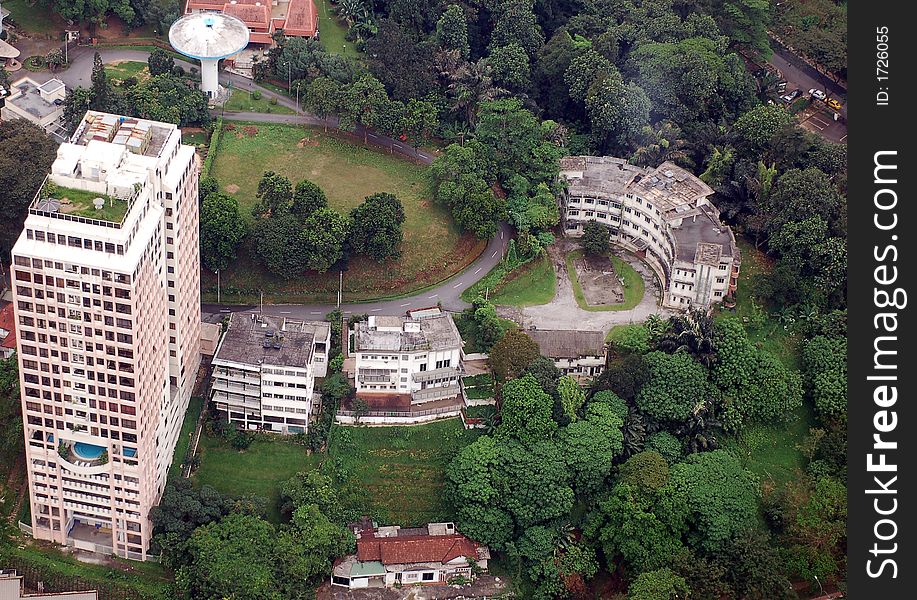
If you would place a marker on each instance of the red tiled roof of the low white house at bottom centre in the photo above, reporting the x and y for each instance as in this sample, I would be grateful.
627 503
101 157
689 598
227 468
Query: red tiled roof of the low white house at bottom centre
415 549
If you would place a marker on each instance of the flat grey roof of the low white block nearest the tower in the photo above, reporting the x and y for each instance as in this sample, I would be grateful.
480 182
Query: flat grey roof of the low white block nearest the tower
266 339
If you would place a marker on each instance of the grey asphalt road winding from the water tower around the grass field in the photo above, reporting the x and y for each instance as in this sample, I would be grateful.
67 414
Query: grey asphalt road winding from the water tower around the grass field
448 293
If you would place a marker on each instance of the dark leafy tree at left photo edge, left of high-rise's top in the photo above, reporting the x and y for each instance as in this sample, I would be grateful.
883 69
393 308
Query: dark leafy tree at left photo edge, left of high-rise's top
26 154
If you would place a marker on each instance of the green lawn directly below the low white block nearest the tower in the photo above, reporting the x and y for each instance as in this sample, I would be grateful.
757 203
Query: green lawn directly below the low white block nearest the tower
259 470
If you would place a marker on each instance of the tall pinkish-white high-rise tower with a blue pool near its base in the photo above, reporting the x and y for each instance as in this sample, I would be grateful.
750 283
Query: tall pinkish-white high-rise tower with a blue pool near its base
106 281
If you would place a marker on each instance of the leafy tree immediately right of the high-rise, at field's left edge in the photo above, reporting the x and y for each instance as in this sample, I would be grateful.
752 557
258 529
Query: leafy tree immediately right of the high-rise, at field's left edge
222 230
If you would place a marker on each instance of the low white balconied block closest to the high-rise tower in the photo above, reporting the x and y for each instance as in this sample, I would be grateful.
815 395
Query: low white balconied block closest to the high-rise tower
264 371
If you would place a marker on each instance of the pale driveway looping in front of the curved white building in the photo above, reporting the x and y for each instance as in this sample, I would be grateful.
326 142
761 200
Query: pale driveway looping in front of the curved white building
564 313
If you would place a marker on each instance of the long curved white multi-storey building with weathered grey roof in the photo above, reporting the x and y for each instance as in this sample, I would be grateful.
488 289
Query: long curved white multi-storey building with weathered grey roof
663 215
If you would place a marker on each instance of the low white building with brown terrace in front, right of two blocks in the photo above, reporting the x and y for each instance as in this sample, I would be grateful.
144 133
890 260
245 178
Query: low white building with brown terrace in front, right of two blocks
417 356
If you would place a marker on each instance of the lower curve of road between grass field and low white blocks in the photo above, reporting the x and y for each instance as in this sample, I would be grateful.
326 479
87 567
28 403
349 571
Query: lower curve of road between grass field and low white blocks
447 293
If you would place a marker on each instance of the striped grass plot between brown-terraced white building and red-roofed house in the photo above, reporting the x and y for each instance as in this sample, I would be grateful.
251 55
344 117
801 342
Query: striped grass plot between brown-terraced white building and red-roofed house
401 470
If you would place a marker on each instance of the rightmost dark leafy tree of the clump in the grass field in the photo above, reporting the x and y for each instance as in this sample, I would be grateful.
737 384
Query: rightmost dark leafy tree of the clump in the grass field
376 227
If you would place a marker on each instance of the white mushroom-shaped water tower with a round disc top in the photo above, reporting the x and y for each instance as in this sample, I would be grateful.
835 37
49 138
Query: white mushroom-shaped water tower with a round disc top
208 37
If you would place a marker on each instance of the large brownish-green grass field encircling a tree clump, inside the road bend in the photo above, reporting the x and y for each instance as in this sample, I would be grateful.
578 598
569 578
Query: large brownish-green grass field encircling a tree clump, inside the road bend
433 248
